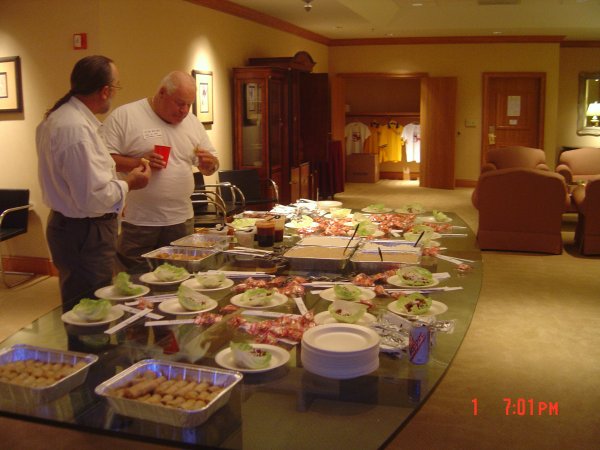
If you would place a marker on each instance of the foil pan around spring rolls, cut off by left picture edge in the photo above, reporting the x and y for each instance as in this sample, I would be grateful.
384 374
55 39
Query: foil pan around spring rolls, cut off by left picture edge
37 395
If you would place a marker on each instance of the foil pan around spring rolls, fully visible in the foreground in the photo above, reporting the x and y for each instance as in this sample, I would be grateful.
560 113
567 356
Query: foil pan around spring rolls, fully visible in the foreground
162 414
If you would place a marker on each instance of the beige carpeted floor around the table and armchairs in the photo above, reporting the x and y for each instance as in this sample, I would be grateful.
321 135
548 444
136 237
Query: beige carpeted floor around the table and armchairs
535 336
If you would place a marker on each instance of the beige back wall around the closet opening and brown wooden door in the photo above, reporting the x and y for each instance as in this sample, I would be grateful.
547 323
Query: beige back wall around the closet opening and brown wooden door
467 62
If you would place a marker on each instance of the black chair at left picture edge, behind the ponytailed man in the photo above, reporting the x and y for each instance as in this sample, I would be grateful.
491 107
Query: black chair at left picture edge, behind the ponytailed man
14 217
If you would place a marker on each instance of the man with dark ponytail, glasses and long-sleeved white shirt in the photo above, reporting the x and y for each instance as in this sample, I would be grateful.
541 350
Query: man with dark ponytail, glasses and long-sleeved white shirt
79 181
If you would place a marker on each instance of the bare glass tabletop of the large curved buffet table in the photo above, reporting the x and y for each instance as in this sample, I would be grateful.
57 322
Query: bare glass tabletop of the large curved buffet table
287 407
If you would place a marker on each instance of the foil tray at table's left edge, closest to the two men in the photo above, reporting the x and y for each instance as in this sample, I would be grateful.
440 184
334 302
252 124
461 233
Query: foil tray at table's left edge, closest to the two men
193 259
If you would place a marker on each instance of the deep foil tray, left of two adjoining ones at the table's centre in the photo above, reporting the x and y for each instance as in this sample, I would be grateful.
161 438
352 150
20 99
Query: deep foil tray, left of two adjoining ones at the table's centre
317 258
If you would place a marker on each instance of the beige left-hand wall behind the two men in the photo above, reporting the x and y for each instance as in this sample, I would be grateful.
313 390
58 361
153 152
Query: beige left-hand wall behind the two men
147 39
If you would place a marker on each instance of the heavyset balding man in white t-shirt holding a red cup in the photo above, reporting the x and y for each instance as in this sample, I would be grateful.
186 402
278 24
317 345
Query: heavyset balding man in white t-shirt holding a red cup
162 212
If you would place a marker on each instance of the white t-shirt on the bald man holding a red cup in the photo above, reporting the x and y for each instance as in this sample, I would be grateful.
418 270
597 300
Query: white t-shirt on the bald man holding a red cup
133 130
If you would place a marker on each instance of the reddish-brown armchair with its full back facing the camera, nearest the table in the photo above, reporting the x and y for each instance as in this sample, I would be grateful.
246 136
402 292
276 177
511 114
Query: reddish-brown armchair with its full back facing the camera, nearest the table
521 209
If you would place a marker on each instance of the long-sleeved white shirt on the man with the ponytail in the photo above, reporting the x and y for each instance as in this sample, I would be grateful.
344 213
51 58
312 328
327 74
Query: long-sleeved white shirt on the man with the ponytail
76 173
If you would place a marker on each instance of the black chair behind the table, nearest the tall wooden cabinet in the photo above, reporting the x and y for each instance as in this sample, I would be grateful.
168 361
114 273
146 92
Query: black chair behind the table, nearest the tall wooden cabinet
256 192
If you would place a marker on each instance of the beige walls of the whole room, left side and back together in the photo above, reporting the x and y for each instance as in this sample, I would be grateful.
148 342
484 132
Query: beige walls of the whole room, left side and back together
148 38
